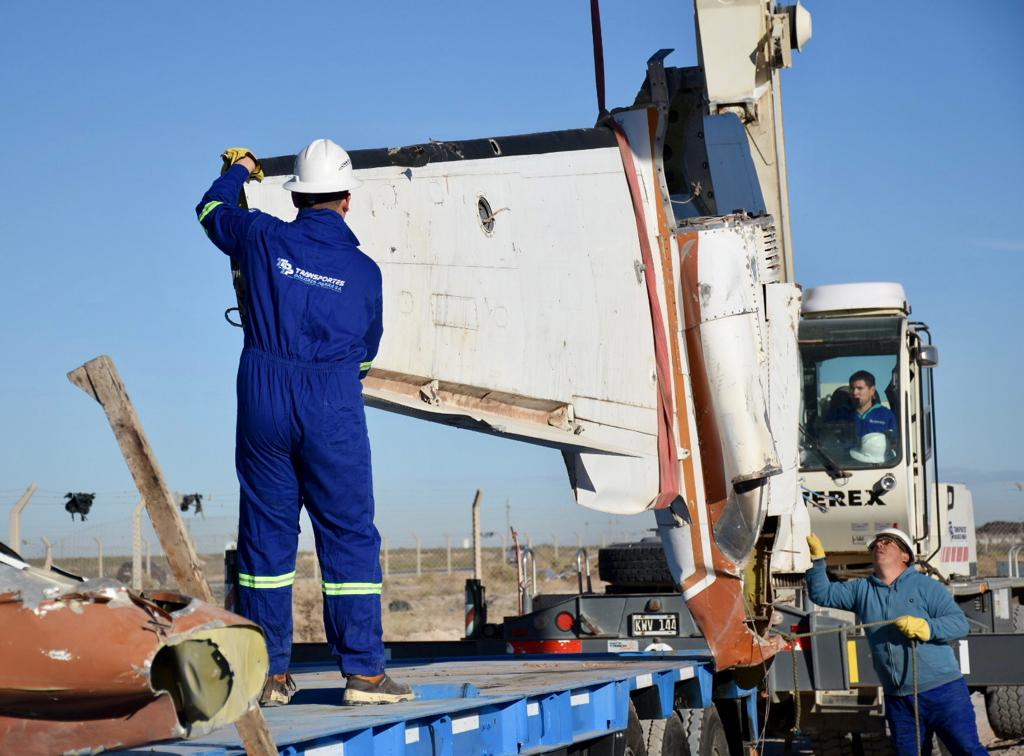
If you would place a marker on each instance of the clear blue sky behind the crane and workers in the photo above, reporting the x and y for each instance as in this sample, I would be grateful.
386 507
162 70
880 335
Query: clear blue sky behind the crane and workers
904 129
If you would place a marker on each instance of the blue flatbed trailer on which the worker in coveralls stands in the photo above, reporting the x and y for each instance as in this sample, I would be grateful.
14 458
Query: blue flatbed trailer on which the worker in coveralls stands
493 705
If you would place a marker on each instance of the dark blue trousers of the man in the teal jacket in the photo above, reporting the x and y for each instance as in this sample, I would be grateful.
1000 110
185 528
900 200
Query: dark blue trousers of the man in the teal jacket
946 711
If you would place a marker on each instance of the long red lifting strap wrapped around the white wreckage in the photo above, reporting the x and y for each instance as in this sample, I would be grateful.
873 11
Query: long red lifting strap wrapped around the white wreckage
668 458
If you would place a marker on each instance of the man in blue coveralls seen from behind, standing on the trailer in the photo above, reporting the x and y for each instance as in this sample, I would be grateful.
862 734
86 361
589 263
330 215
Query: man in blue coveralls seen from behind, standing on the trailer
313 326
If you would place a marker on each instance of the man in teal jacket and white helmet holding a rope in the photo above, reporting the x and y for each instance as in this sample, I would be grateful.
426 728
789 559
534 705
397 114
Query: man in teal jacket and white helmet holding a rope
925 619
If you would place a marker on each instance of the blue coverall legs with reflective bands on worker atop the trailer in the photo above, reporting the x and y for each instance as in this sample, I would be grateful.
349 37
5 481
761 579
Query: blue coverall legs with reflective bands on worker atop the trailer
302 441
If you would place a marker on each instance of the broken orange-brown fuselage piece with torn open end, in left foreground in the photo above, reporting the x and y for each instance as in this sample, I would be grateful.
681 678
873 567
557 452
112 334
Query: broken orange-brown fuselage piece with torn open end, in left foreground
90 665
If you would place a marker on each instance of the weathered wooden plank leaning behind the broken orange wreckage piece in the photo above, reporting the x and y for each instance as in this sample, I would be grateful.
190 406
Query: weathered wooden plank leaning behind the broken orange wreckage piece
100 380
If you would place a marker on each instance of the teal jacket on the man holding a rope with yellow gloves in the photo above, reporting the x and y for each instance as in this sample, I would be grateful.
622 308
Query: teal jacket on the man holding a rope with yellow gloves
912 594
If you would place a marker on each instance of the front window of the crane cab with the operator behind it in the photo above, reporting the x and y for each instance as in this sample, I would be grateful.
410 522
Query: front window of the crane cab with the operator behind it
850 414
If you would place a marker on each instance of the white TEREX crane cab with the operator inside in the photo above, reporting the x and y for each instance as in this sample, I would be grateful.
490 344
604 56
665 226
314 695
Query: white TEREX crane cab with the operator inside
868 457
